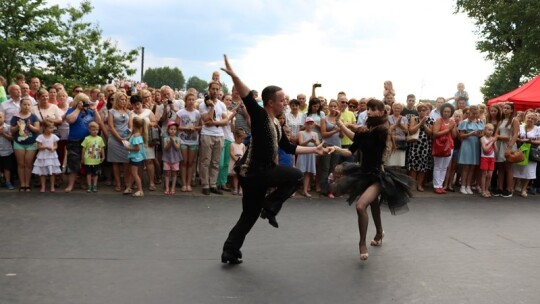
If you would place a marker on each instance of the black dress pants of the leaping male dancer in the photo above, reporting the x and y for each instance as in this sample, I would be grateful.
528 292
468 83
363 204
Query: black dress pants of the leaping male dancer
286 180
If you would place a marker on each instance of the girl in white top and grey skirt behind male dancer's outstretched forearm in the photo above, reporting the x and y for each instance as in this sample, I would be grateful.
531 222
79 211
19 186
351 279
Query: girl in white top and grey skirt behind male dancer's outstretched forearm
306 162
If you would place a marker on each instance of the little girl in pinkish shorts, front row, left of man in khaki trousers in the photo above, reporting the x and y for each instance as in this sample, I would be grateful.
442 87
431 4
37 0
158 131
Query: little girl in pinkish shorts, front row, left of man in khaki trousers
171 156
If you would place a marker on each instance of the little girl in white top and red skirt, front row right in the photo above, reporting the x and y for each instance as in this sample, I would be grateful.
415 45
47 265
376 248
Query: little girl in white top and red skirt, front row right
487 158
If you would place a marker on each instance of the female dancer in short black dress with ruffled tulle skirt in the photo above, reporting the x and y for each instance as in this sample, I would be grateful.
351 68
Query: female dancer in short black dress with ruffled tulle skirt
365 182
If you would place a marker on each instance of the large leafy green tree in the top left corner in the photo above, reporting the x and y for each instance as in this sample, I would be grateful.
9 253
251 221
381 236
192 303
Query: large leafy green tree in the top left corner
56 44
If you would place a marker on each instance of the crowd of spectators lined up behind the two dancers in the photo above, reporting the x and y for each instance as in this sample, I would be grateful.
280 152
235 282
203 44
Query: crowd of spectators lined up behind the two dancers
180 140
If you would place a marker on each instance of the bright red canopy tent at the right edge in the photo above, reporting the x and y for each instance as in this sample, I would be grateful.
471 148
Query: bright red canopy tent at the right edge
525 97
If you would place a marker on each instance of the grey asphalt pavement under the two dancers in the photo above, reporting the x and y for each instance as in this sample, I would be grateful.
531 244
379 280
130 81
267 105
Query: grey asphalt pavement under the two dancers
110 248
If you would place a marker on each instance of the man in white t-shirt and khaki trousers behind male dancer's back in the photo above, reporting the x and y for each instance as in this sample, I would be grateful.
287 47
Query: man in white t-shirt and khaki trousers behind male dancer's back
214 117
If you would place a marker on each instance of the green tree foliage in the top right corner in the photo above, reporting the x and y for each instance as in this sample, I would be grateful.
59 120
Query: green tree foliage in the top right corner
510 36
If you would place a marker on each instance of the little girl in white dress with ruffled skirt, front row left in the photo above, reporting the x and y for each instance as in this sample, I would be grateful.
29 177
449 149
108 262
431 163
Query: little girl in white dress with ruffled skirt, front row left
47 163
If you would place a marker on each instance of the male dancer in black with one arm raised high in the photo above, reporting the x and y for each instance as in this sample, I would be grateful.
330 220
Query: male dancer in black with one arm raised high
258 170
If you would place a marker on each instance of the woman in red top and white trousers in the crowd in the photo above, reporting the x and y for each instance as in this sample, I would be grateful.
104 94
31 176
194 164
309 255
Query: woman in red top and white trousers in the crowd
444 132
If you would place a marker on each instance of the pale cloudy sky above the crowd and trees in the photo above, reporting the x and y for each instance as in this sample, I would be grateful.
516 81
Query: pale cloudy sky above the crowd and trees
346 45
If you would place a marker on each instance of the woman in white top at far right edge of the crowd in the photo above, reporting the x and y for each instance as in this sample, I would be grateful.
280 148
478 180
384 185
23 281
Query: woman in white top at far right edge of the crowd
528 134
